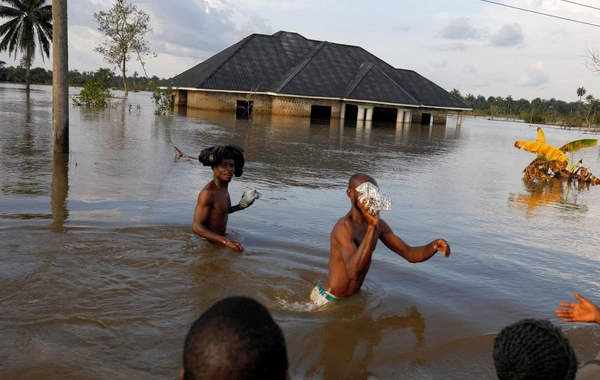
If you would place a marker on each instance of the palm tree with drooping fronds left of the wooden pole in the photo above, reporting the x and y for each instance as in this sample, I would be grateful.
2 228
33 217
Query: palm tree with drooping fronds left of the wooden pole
30 23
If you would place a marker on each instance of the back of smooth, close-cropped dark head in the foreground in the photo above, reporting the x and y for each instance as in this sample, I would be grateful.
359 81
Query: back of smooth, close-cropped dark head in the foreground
236 338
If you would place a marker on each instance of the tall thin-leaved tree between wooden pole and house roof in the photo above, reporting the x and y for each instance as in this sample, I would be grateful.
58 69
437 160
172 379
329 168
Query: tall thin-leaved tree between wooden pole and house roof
124 27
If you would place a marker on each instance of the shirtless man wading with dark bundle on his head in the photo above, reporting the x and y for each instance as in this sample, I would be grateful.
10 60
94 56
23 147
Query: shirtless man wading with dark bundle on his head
214 205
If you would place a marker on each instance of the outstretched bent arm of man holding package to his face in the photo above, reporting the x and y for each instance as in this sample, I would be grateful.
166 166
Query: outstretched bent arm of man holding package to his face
411 254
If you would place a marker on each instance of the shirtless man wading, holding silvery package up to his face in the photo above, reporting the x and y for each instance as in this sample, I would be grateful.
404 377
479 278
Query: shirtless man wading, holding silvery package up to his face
352 242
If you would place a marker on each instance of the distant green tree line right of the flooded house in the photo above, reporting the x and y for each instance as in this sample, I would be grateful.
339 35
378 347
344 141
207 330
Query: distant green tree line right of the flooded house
538 111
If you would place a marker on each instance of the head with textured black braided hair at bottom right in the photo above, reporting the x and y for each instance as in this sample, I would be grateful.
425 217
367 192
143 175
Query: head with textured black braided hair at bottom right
533 349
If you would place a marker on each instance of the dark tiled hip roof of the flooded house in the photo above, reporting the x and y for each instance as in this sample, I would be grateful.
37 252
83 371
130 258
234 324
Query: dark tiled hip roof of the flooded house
288 63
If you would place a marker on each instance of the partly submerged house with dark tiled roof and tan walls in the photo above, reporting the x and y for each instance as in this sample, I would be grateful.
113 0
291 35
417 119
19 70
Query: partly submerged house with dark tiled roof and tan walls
288 74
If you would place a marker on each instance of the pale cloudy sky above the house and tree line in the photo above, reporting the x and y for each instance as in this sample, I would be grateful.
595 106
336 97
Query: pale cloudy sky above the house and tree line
474 46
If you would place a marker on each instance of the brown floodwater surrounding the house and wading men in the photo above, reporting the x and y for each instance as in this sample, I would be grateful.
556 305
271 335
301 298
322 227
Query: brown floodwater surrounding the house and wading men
100 279
